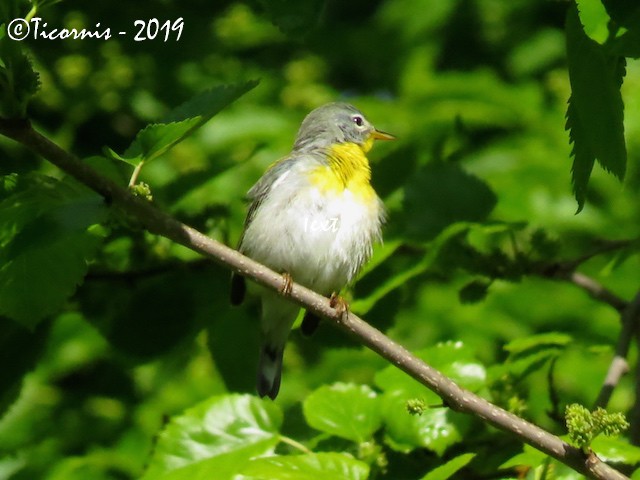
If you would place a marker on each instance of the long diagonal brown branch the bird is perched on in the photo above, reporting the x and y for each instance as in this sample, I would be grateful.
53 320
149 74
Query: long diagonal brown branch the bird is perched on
453 396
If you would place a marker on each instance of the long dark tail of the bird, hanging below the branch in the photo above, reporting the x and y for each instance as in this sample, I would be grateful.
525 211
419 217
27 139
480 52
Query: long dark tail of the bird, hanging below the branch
278 316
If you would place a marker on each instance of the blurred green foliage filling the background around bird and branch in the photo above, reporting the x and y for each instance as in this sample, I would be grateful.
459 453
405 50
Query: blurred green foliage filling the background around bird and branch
107 332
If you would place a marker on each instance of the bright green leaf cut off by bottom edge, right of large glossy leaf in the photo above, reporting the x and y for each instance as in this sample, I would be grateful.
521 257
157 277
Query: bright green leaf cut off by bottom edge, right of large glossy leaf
316 466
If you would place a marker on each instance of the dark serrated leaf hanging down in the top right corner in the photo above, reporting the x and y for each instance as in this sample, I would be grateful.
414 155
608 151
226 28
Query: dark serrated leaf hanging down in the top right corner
595 113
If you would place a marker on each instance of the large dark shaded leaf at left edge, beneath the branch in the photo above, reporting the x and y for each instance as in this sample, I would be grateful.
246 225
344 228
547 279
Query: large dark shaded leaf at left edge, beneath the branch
46 245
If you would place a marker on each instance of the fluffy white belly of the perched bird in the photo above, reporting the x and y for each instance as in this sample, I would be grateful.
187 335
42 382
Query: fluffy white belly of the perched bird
321 240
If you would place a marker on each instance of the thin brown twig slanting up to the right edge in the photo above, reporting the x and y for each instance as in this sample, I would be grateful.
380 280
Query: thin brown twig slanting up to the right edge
619 366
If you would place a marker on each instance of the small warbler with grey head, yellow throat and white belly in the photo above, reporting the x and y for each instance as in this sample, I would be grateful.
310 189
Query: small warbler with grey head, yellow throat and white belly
314 217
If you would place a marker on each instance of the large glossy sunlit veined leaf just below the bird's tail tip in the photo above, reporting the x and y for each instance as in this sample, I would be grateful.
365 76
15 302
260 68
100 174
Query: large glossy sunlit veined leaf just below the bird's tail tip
220 425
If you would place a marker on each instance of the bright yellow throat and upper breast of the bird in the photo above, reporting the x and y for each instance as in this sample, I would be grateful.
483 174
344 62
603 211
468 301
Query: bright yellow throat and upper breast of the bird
348 168
